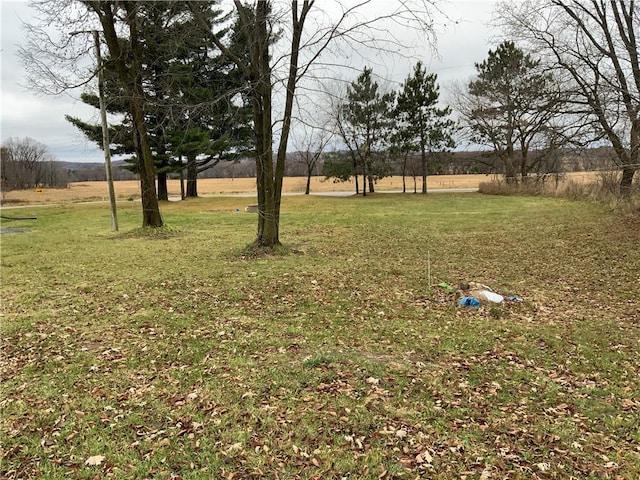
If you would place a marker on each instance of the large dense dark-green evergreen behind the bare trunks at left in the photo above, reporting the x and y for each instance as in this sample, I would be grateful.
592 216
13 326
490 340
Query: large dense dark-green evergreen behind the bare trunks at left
188 87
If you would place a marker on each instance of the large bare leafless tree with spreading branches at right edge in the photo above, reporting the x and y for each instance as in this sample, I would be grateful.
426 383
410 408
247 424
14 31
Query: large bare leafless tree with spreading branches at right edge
594 42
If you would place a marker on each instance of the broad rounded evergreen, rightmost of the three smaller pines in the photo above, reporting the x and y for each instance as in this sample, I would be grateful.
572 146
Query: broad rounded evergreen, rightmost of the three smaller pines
512 106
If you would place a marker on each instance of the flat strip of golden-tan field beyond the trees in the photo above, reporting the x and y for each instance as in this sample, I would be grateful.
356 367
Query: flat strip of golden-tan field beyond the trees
221 186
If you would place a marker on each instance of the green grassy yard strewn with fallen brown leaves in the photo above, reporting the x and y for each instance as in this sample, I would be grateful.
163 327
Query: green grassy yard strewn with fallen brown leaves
180 355
